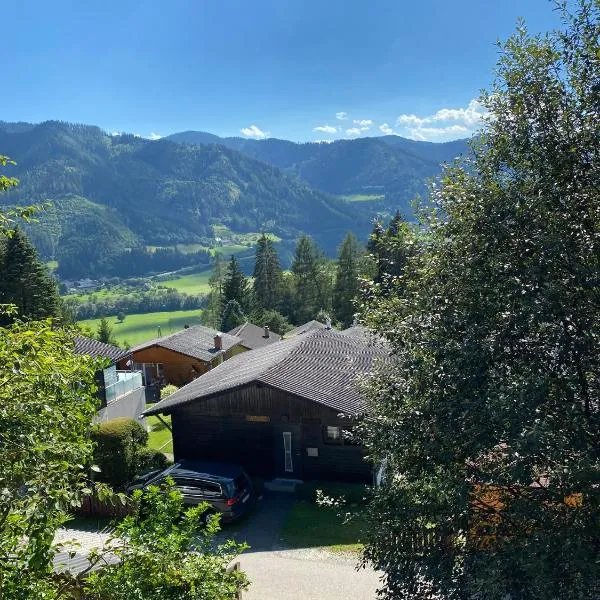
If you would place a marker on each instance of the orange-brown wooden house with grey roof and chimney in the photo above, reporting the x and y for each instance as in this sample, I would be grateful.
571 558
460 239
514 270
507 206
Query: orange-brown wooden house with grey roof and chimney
182 356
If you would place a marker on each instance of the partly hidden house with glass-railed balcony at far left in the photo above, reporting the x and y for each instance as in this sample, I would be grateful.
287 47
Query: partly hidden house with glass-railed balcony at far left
121 392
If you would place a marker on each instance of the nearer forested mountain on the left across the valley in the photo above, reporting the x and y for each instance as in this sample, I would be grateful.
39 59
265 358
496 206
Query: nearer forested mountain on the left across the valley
109 193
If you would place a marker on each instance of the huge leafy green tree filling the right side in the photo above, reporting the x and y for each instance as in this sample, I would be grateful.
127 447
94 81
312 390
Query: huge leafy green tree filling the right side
488 426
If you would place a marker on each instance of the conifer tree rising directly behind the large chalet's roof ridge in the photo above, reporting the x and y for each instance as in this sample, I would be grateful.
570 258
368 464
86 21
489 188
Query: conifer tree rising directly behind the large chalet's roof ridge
347 283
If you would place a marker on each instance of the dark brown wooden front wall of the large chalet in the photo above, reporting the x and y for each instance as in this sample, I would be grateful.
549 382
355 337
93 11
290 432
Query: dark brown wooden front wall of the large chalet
246 427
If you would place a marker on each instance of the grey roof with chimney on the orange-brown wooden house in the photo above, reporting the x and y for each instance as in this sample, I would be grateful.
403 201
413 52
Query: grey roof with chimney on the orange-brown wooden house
197 342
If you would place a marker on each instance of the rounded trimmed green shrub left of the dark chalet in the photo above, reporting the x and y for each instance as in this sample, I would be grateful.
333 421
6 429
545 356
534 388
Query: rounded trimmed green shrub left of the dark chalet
119 443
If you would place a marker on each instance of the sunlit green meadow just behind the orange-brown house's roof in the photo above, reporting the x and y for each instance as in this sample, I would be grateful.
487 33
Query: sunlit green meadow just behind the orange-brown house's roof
138 328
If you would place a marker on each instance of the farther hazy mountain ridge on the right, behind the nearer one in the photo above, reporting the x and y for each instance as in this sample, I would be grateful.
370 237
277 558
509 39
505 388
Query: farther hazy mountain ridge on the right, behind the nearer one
390 165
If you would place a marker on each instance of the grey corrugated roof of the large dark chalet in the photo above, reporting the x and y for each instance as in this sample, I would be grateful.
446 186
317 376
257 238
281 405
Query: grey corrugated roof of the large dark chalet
321 366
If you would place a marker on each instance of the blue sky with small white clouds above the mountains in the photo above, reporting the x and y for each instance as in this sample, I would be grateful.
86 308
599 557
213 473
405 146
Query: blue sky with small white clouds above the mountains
301 70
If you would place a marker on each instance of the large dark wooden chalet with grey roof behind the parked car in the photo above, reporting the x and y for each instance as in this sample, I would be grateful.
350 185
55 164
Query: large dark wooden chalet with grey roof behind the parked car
283 410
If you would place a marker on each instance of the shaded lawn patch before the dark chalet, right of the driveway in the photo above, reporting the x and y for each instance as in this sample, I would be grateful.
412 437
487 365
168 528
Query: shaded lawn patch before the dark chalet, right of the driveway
337 529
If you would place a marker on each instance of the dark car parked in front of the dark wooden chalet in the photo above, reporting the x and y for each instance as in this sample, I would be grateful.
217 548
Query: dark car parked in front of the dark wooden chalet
227 488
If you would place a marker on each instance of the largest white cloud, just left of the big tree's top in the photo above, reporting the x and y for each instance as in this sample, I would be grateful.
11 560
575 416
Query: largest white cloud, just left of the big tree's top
445 124
